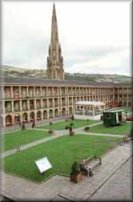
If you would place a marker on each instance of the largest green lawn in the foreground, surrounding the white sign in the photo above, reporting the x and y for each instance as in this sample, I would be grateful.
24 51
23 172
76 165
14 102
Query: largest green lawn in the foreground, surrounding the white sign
61 152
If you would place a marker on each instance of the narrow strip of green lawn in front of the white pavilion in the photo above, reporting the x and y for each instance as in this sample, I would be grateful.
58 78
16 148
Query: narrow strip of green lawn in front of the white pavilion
76 124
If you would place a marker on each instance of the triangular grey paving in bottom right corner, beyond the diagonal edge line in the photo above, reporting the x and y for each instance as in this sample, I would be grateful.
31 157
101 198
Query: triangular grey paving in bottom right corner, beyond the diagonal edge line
119 186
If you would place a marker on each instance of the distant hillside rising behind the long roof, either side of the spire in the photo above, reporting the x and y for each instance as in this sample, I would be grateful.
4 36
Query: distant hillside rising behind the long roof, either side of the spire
40 73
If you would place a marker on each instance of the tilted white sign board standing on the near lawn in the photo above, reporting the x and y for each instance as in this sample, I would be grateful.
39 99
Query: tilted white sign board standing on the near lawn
43 164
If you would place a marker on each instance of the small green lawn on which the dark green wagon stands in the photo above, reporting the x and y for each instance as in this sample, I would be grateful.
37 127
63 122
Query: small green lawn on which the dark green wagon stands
123 129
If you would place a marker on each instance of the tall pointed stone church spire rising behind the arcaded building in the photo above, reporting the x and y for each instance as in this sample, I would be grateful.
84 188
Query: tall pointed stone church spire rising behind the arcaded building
54 60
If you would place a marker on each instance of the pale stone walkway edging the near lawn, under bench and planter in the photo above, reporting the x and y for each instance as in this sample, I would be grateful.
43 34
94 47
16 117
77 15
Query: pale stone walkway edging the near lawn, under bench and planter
60 188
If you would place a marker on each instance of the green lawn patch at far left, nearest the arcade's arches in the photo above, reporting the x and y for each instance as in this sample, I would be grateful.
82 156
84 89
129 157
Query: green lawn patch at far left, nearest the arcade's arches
18 138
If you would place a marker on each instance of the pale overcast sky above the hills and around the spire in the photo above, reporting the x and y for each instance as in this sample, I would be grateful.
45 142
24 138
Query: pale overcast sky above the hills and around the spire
94 35
